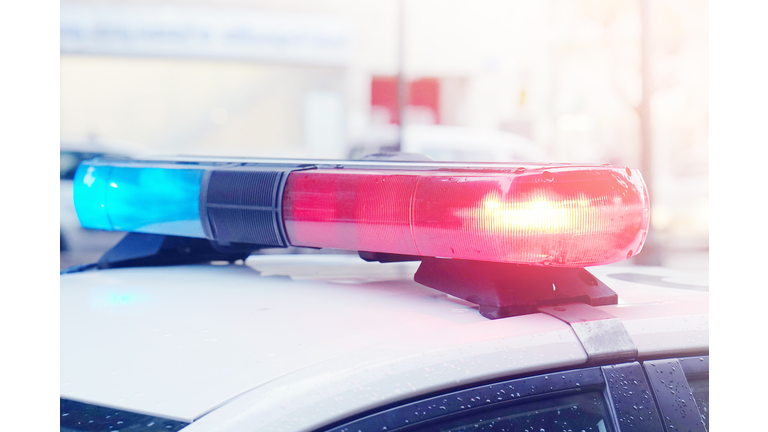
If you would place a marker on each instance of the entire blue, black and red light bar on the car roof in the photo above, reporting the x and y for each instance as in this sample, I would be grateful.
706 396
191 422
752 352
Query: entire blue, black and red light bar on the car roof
545 215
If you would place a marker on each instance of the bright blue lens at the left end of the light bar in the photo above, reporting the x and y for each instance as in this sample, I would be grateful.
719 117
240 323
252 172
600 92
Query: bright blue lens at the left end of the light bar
139 199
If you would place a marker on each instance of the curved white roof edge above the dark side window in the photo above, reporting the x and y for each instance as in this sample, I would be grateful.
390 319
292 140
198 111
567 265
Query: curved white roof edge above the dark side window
335 389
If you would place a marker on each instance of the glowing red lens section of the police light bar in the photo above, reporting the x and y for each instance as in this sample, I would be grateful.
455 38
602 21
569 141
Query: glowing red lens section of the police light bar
559 216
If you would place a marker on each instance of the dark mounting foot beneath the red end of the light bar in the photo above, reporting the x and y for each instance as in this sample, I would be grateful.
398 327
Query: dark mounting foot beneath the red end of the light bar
503 290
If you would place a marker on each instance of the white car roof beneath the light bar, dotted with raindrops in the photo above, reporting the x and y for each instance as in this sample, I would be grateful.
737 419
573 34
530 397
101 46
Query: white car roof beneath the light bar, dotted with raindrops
294 342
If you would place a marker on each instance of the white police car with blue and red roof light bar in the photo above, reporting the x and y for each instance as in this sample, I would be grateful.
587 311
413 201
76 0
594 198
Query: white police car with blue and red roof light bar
472 297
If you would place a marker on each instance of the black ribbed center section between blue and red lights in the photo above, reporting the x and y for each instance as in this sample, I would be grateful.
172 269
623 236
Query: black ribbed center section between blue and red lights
243 205
